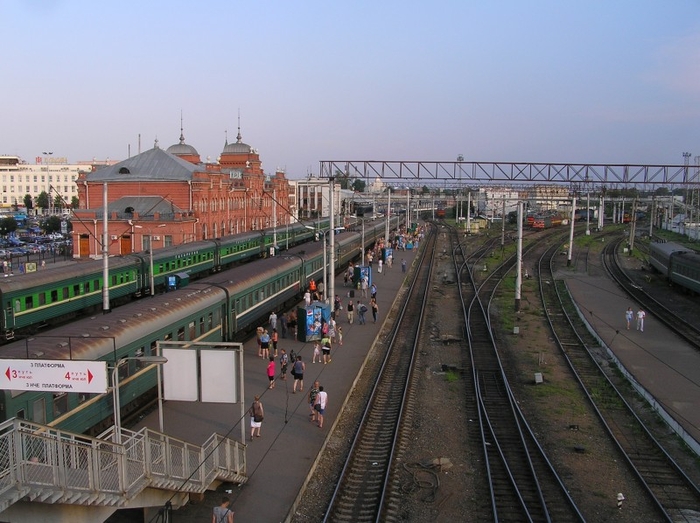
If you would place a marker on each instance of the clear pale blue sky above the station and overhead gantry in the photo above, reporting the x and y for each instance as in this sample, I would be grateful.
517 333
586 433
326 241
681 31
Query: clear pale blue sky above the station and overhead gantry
582 81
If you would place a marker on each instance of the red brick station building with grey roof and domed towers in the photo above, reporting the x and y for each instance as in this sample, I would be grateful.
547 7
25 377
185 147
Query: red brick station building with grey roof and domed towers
169 197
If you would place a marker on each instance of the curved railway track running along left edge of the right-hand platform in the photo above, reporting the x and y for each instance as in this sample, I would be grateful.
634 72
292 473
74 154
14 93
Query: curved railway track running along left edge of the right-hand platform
671 491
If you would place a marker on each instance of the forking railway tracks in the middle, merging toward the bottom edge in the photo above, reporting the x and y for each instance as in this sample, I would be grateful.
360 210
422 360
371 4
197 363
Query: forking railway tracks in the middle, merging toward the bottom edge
523 484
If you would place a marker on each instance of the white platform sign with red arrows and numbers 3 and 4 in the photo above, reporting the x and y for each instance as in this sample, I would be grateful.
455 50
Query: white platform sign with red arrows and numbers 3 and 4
54 376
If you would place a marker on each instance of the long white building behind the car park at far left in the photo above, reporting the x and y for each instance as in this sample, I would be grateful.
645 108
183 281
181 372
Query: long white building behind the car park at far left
54 176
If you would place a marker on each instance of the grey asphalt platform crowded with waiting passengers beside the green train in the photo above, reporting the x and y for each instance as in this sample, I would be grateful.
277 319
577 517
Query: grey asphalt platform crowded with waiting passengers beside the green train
281 459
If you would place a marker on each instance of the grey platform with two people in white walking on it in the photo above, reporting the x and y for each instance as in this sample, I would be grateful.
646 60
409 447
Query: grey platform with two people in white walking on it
665 367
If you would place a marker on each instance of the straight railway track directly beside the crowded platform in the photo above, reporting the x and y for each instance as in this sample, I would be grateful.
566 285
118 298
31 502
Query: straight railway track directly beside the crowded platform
365 491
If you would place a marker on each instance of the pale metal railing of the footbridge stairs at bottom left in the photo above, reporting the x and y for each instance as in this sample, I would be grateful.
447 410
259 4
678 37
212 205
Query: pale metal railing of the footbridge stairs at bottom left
44 464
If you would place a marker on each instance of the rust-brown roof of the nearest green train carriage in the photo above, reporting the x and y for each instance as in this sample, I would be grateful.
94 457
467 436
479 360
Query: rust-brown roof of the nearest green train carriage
98 336
